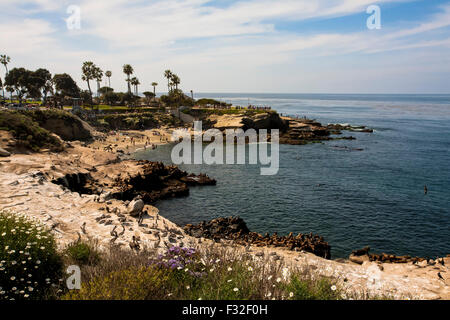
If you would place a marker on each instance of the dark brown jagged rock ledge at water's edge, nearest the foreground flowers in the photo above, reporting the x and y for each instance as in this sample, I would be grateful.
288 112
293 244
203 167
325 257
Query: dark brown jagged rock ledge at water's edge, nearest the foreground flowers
234 228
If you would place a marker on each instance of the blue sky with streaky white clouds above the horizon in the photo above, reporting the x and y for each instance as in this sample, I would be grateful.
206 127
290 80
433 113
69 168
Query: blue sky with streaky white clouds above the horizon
257 46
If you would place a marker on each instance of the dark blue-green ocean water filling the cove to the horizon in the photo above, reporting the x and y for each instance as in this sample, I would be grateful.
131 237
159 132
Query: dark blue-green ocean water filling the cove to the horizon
373 197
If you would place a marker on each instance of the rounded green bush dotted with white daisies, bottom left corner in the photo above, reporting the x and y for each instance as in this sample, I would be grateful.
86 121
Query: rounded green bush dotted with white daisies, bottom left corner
30 267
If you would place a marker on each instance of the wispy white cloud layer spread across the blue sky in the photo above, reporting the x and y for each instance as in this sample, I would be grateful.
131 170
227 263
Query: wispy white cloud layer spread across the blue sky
238 44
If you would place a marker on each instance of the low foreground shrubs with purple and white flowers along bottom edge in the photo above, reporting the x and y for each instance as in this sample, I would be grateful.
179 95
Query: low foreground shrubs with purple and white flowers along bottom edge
188 274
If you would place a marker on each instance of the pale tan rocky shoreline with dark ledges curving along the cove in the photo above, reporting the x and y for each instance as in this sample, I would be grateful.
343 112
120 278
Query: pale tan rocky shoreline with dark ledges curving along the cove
83 204
